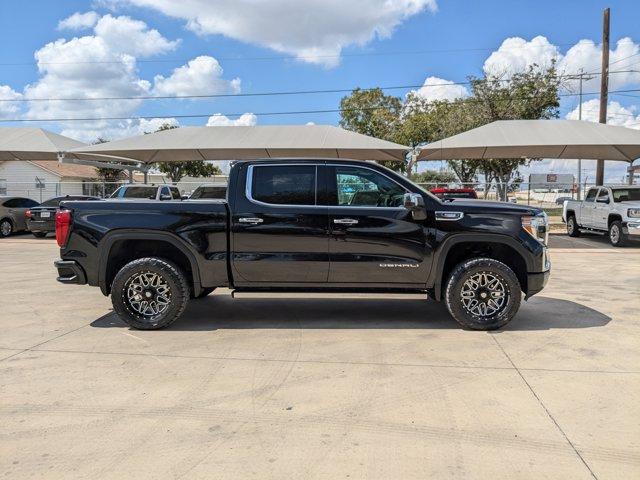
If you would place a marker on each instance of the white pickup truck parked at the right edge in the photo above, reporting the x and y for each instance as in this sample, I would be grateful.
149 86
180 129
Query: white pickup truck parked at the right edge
612 210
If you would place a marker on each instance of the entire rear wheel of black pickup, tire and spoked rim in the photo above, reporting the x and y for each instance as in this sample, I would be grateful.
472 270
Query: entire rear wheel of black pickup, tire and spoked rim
150 293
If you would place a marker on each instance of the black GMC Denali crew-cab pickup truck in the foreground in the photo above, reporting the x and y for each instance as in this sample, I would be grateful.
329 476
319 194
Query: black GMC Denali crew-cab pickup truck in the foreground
307 225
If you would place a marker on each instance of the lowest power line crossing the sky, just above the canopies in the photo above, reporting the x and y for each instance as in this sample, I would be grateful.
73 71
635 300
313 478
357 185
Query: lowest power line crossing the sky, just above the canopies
298 112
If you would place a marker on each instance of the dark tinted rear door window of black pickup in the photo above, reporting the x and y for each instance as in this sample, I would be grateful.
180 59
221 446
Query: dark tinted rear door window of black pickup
284 185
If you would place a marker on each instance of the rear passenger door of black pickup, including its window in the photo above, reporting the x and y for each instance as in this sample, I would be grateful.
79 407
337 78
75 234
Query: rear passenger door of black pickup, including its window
279 229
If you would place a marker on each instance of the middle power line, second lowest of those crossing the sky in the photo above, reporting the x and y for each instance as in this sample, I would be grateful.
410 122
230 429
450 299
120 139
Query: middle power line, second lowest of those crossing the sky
260 94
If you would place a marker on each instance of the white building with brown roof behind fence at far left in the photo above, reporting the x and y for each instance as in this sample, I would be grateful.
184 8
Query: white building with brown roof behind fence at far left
41 180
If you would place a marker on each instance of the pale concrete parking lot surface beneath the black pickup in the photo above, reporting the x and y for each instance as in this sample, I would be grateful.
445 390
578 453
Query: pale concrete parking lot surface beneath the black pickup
309 386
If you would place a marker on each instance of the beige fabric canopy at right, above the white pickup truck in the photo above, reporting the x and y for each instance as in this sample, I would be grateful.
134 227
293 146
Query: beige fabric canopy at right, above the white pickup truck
570 139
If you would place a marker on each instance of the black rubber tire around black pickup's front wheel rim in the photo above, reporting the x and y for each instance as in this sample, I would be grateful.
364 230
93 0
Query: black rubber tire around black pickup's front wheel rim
465 271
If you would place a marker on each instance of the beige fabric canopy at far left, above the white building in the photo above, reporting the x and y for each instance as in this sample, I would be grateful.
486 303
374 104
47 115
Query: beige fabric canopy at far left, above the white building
21 143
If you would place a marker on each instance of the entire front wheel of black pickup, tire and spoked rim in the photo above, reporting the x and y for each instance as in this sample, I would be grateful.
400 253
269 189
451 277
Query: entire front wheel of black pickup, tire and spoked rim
483 294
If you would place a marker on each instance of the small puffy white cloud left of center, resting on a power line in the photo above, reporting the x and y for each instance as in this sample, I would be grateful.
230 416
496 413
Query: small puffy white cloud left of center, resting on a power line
200 76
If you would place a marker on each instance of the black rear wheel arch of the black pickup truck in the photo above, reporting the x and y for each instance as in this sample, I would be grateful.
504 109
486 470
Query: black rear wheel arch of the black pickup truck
119 248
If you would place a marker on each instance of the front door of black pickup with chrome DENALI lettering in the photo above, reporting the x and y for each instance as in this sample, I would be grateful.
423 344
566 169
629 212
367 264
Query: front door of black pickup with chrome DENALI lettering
374 241
